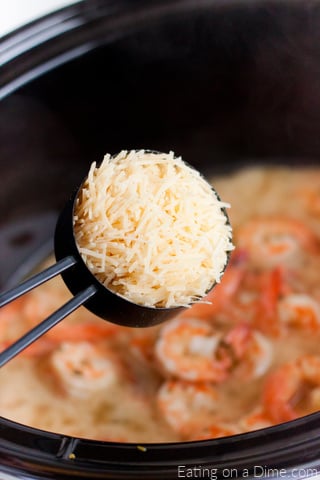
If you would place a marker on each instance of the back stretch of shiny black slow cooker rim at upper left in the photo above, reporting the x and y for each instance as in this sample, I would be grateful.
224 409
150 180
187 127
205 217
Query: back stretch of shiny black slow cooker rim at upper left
37 47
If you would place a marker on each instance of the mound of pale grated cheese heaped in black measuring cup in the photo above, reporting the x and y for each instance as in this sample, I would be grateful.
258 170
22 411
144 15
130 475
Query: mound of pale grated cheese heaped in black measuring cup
151 229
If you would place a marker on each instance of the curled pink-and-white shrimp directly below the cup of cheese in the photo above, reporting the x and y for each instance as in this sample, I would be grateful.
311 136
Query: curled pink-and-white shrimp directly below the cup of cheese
187 349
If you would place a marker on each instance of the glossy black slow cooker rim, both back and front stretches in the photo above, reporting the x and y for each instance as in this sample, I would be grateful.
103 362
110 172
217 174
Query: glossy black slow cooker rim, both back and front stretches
53 455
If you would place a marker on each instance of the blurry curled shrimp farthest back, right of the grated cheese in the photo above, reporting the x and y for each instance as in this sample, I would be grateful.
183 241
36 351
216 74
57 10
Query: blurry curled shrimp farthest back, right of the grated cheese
275 240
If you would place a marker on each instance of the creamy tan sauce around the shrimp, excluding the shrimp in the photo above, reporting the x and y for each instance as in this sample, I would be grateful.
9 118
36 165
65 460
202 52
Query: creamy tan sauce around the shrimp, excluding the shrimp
127 408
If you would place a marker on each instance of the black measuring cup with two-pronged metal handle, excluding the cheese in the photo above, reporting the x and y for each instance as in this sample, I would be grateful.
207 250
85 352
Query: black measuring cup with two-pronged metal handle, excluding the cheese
86 289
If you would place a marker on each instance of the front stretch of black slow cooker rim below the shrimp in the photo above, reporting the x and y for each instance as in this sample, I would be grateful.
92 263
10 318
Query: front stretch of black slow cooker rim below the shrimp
45 452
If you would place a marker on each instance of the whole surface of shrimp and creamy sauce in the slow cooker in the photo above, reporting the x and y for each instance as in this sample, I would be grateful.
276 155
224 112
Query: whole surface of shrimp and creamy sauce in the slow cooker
248 360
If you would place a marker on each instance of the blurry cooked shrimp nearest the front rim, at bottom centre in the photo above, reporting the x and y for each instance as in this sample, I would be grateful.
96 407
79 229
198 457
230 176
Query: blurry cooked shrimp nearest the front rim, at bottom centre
187 407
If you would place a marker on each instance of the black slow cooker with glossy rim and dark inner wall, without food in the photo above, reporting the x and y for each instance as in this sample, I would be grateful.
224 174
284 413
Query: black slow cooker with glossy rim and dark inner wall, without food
224 83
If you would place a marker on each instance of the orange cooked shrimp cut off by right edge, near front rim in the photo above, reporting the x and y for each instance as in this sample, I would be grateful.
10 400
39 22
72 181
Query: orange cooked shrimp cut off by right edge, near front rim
287 392
